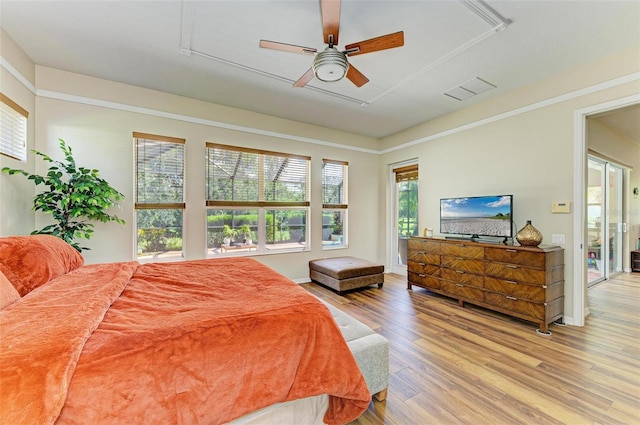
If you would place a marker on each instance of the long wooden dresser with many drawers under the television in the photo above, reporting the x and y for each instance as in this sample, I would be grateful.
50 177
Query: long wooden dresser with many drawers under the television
524 282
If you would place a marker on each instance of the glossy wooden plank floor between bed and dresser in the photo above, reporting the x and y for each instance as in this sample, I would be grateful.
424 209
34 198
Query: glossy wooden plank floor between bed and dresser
453 365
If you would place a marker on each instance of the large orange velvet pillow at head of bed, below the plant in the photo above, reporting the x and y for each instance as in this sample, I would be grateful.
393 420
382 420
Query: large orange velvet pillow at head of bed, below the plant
31 261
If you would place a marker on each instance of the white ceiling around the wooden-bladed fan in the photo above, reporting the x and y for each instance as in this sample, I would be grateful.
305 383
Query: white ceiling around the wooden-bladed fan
209 50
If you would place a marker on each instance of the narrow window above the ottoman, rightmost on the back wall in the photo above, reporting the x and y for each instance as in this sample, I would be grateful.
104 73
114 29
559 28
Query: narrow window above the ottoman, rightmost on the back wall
334 204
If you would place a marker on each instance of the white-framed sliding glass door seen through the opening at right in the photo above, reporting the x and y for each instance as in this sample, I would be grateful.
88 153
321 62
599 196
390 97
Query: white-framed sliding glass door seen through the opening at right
605 224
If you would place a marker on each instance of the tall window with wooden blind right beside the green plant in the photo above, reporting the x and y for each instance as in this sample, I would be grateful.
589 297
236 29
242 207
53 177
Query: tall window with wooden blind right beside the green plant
159 196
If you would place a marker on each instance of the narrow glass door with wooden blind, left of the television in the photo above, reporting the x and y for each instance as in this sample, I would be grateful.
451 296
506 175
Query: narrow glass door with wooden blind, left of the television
405 215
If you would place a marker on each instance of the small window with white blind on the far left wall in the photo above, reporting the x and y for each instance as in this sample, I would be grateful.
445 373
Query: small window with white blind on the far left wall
13 129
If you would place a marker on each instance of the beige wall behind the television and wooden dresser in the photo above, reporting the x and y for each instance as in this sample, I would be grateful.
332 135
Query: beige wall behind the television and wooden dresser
521 144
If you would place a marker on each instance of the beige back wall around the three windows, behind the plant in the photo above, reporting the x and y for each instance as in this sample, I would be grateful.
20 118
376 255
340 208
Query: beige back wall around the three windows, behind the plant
97 118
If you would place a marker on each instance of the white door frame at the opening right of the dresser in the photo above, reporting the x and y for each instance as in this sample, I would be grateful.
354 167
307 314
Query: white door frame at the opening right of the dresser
579 287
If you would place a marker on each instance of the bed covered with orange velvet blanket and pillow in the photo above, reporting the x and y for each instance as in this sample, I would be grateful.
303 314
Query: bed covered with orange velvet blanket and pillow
192 342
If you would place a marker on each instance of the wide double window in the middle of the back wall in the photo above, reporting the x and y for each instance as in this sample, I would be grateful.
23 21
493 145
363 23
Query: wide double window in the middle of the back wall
257 201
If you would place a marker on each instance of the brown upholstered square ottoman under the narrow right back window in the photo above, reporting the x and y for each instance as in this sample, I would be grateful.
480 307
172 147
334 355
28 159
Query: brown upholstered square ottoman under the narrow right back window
344 273
